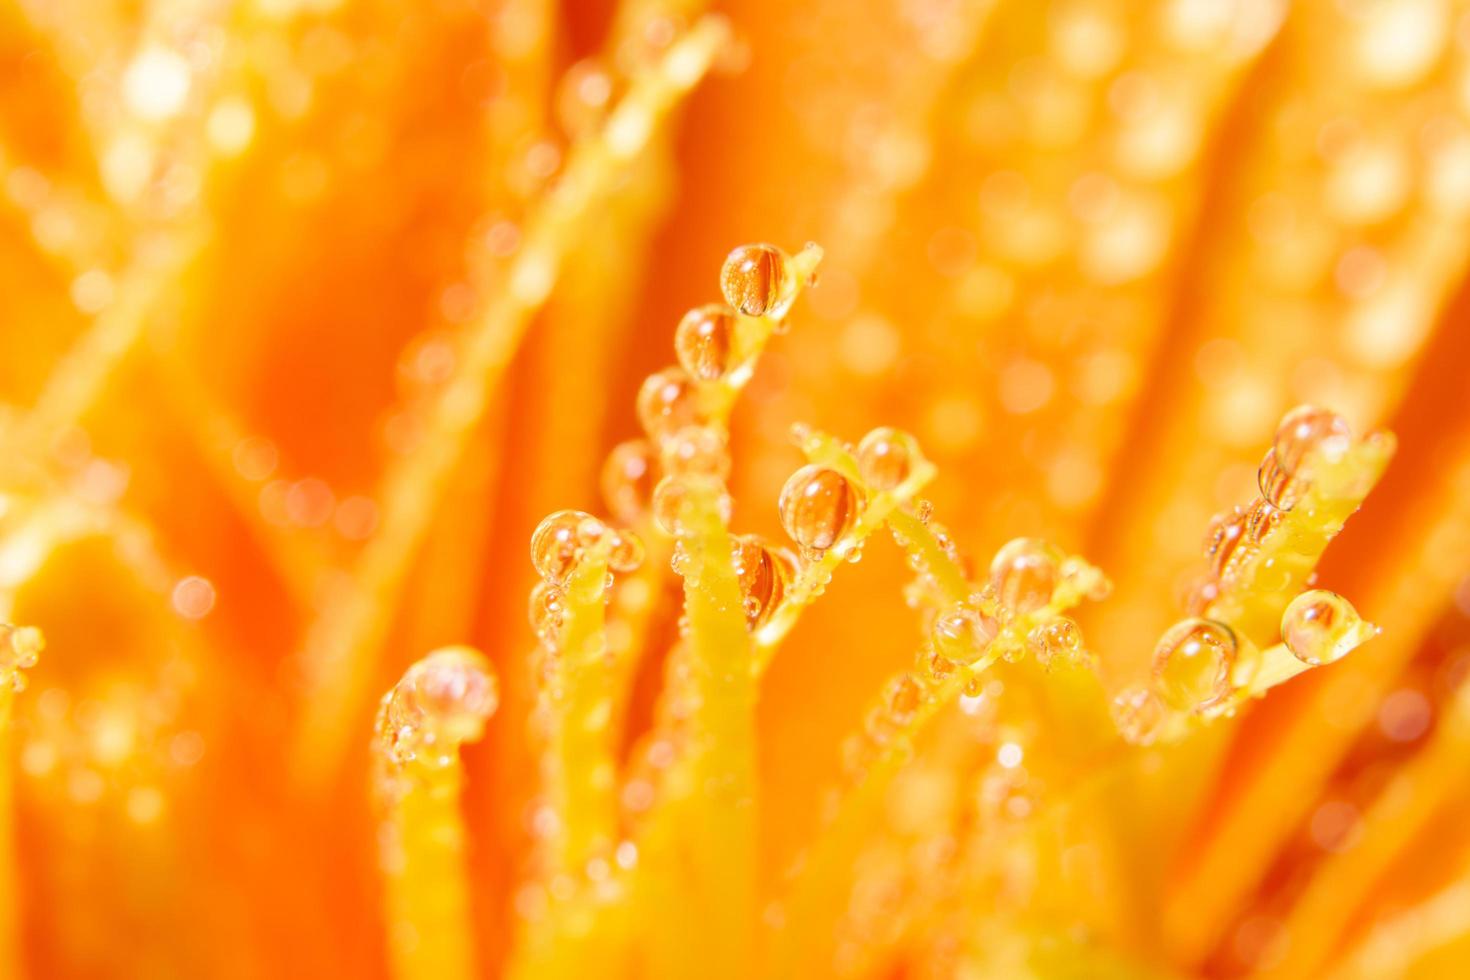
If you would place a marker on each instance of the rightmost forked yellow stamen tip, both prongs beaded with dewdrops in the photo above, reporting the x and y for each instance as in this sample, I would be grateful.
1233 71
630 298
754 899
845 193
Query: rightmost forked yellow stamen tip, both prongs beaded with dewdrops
1261 558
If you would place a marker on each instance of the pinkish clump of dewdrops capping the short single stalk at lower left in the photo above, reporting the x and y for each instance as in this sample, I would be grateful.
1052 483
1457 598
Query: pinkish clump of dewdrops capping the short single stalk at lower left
440 703
